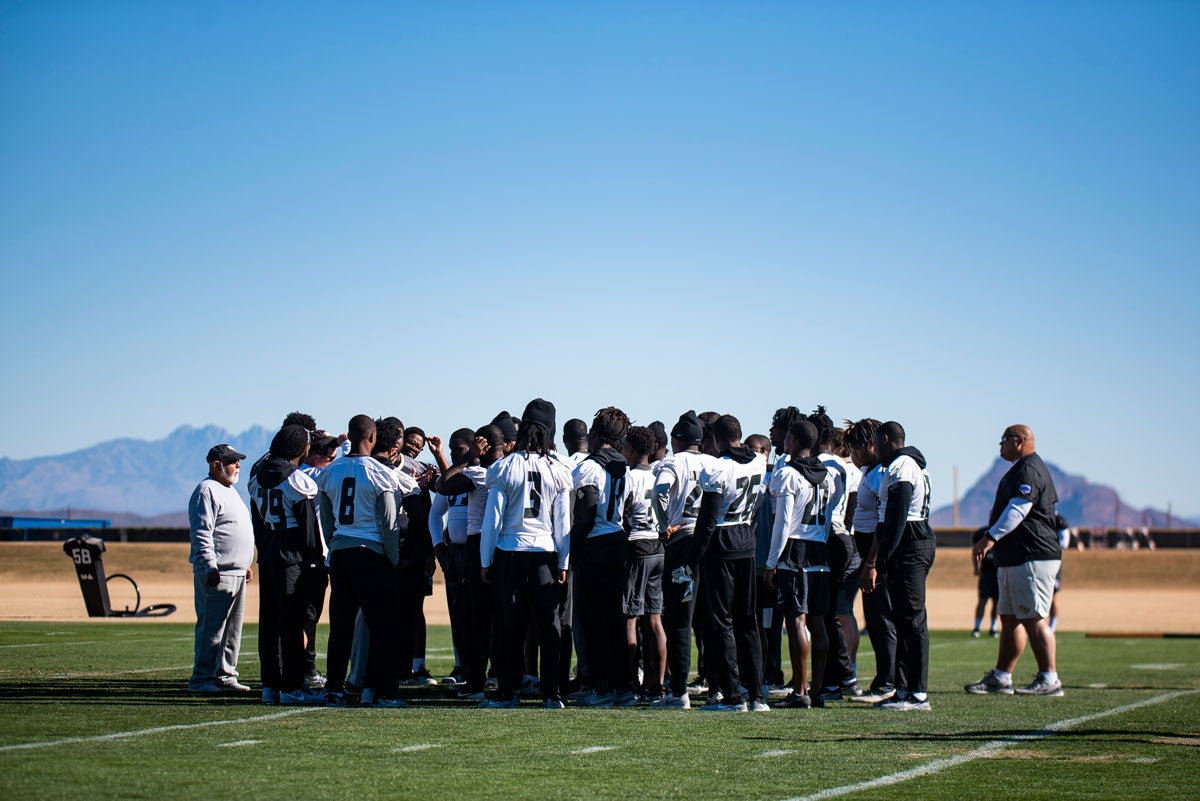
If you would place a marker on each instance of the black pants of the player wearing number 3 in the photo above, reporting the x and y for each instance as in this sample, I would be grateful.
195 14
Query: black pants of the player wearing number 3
526 583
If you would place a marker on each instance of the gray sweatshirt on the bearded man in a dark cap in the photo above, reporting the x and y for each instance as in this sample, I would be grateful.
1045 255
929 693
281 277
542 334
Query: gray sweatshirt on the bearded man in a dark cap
223 537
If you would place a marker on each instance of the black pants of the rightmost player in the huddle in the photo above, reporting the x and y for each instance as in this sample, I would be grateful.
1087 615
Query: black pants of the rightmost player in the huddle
908 570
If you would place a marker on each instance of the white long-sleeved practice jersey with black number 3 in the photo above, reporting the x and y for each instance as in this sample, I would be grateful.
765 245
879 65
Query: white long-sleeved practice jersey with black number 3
527 505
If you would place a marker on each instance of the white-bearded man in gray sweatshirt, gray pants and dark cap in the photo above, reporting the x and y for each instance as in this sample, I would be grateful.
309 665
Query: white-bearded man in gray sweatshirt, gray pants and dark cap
223 550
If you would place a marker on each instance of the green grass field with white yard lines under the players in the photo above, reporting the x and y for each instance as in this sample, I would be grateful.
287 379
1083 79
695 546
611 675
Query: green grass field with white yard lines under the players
99 712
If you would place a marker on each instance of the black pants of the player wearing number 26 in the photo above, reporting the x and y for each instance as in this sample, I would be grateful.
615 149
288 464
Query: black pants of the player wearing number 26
735 653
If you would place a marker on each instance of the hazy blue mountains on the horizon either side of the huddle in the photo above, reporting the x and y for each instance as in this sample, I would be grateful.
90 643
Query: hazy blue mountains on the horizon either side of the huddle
147 484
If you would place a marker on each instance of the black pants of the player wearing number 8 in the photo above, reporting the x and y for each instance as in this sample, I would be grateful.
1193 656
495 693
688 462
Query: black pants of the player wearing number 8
362 579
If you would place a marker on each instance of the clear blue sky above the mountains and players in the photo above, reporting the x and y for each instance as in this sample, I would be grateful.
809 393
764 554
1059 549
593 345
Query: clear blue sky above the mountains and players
959 216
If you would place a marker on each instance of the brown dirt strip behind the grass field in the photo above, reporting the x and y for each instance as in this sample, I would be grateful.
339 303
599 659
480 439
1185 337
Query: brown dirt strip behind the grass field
1103 591
